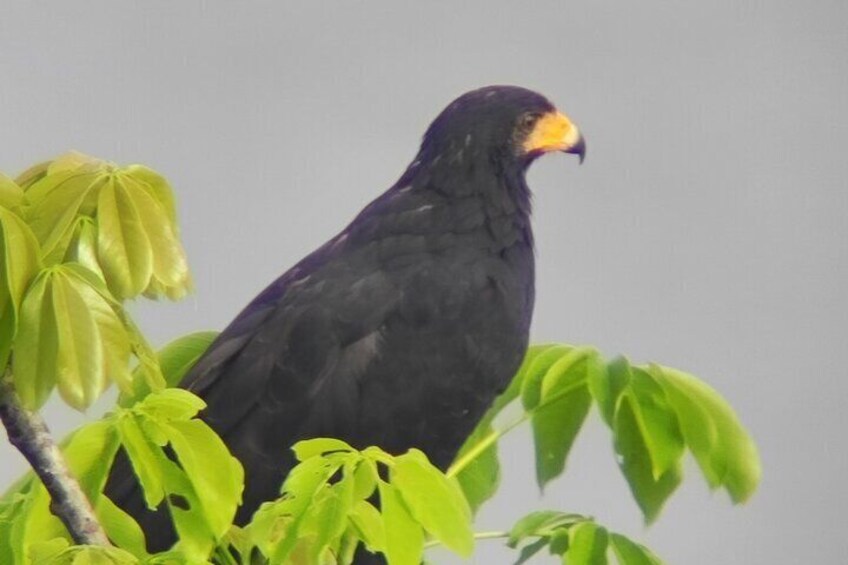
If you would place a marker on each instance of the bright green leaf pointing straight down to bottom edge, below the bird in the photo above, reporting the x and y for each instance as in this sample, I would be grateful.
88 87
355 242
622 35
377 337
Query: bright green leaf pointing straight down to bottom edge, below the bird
404 537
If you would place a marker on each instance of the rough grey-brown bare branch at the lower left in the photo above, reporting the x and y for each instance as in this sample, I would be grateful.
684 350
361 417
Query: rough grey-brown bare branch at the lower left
28 432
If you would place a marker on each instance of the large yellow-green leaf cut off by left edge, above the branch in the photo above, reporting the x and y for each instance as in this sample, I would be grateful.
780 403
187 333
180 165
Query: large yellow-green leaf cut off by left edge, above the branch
19 264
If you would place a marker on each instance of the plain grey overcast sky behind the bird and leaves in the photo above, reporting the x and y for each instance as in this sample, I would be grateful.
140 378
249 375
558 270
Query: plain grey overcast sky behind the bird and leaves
708 228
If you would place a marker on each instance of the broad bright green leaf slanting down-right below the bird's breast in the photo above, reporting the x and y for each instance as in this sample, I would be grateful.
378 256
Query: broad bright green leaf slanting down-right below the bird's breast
434 501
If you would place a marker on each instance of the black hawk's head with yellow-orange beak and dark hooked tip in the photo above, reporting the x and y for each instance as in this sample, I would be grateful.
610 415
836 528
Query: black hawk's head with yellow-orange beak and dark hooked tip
507 125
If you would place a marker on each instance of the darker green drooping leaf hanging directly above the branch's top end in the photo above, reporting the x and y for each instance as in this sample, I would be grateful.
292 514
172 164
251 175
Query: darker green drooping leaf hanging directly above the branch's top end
34 363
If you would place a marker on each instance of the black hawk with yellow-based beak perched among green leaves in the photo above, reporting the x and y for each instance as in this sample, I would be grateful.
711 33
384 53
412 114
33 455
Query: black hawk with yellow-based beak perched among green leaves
401 330
